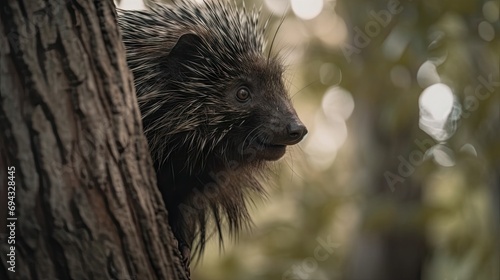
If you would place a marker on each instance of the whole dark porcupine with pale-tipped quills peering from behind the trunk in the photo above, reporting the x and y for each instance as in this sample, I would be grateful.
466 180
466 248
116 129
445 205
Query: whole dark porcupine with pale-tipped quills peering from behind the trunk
214 110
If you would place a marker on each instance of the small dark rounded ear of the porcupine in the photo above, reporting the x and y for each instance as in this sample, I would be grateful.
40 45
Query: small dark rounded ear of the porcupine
185 49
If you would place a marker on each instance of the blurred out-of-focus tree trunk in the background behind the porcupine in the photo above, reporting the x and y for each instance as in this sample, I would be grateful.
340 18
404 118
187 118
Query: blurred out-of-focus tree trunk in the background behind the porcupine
395 248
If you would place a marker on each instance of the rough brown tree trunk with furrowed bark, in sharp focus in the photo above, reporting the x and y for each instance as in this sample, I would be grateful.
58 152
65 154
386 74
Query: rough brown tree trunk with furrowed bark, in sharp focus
72 151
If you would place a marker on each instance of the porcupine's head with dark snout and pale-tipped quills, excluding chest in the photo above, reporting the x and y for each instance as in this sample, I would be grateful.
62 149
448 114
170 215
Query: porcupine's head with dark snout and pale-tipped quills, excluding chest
205 88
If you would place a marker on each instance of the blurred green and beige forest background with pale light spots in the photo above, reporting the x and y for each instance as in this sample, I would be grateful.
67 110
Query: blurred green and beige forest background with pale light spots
399 176
